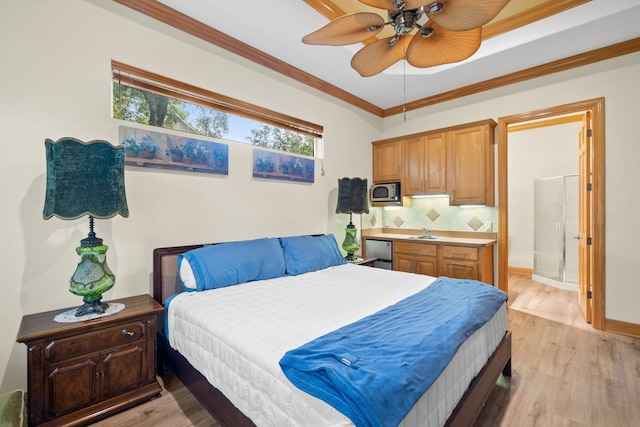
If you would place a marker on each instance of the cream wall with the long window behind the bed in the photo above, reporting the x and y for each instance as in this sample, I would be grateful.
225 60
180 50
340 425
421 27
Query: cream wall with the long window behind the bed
56 82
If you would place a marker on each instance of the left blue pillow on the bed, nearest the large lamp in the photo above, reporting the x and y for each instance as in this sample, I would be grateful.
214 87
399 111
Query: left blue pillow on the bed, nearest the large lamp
227 264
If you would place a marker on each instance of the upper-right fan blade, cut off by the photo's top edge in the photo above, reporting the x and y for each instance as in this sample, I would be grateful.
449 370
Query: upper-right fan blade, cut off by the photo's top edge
462 15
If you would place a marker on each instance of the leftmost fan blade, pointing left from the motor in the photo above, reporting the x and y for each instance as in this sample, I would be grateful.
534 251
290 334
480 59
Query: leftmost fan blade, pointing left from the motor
348 29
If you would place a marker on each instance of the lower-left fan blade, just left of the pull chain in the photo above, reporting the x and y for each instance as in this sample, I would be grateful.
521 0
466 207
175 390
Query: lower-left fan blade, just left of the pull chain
377 56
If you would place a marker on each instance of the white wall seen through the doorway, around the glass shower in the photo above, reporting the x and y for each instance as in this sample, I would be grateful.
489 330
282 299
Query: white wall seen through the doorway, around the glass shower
535 153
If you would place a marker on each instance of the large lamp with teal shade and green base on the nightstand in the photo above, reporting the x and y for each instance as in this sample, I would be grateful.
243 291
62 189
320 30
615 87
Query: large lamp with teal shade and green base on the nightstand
86 178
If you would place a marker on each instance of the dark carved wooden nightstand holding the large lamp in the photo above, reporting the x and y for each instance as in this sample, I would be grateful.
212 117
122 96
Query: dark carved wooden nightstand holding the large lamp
84 371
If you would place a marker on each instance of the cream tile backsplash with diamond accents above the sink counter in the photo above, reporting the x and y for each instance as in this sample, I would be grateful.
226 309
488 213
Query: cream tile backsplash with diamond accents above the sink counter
434 213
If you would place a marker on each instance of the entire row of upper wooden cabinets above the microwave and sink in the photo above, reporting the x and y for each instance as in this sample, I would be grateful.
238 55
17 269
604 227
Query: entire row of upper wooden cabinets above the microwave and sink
458 161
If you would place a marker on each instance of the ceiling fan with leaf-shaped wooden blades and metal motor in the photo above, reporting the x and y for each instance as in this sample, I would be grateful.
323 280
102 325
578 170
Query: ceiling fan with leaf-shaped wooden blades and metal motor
447 31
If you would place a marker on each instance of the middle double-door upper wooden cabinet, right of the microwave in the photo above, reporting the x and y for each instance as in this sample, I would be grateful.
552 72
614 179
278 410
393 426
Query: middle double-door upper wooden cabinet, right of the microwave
425 165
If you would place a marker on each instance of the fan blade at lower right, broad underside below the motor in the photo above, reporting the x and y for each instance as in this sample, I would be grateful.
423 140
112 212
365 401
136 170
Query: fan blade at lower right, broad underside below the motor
443 46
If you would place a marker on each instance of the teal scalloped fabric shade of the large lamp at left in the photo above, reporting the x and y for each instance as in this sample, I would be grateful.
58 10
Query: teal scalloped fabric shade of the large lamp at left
84 178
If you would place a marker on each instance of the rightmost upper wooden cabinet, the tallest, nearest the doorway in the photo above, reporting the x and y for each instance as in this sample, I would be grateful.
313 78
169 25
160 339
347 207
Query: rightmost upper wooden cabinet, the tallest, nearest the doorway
470 171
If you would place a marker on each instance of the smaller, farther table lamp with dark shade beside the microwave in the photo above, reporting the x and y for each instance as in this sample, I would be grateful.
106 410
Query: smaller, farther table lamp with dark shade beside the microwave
352 198
